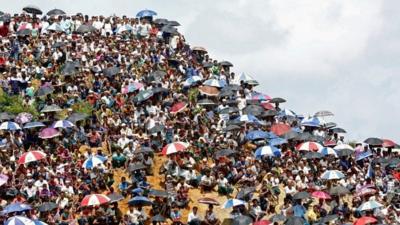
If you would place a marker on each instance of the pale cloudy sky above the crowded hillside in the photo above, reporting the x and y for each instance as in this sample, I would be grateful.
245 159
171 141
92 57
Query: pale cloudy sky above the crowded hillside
336 55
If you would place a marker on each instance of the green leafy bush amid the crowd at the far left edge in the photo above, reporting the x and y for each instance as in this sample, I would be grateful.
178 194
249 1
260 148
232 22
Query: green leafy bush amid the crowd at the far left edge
14 105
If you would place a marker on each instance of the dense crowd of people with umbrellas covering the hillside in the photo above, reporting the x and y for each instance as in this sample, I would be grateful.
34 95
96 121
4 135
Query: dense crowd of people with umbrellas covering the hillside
116 93
